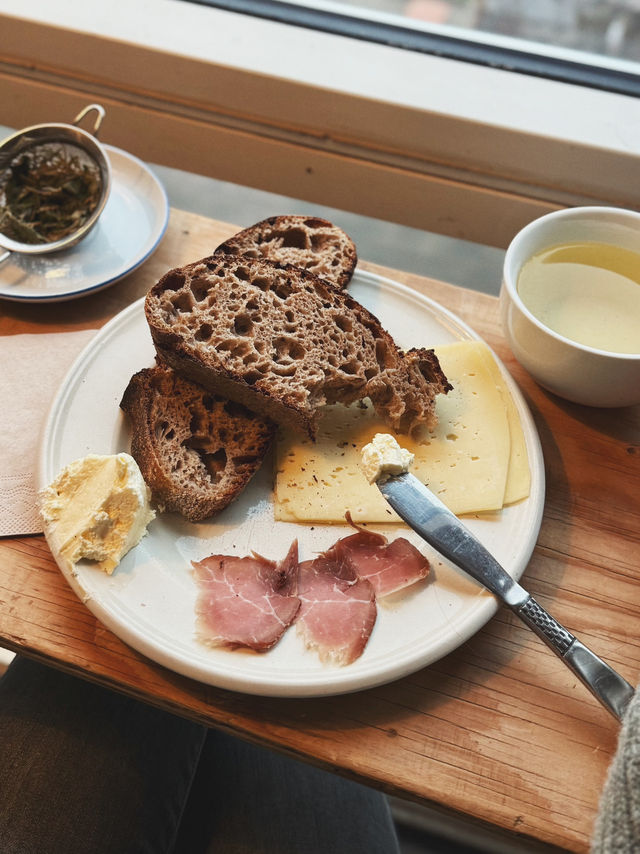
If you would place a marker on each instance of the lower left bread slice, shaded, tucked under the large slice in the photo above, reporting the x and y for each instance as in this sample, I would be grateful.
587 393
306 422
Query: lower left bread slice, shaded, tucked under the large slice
196 451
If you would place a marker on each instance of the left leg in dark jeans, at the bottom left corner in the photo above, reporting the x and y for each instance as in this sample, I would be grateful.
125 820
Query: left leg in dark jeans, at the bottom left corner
86 770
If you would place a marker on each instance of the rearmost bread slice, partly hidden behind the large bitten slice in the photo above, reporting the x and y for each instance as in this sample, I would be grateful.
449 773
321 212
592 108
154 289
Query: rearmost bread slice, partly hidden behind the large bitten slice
305 241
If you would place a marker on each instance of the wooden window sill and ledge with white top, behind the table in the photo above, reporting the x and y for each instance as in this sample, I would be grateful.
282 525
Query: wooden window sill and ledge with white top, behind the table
426 141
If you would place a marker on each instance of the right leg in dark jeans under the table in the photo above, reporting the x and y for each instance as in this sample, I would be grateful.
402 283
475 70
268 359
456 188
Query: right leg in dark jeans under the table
250 800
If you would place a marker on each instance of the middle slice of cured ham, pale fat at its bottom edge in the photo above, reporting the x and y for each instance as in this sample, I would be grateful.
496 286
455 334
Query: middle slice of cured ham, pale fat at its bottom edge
337 609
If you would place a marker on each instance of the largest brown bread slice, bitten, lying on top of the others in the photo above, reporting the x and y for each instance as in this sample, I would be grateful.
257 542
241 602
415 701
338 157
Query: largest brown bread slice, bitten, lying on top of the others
284 342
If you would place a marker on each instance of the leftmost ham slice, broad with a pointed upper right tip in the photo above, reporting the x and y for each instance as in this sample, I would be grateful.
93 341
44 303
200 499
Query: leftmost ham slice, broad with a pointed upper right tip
245 601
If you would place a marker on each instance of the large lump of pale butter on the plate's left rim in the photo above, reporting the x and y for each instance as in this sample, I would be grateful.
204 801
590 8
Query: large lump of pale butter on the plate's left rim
97 508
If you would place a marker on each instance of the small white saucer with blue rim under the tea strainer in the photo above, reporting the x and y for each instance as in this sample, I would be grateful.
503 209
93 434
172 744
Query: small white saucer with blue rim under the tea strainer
129 229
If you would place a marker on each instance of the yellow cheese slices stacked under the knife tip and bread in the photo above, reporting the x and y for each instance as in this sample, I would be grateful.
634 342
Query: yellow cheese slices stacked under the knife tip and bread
466 460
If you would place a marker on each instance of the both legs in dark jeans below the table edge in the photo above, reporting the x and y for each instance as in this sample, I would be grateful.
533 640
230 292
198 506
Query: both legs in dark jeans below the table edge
85 770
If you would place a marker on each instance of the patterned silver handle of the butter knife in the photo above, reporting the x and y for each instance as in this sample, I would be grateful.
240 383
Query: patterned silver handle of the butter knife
605 684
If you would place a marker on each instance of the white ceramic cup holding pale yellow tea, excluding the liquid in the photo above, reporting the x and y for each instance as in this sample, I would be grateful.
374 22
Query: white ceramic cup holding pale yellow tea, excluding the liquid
574 371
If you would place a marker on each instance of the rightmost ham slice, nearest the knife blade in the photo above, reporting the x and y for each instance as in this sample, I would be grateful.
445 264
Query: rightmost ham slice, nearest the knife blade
389 566
